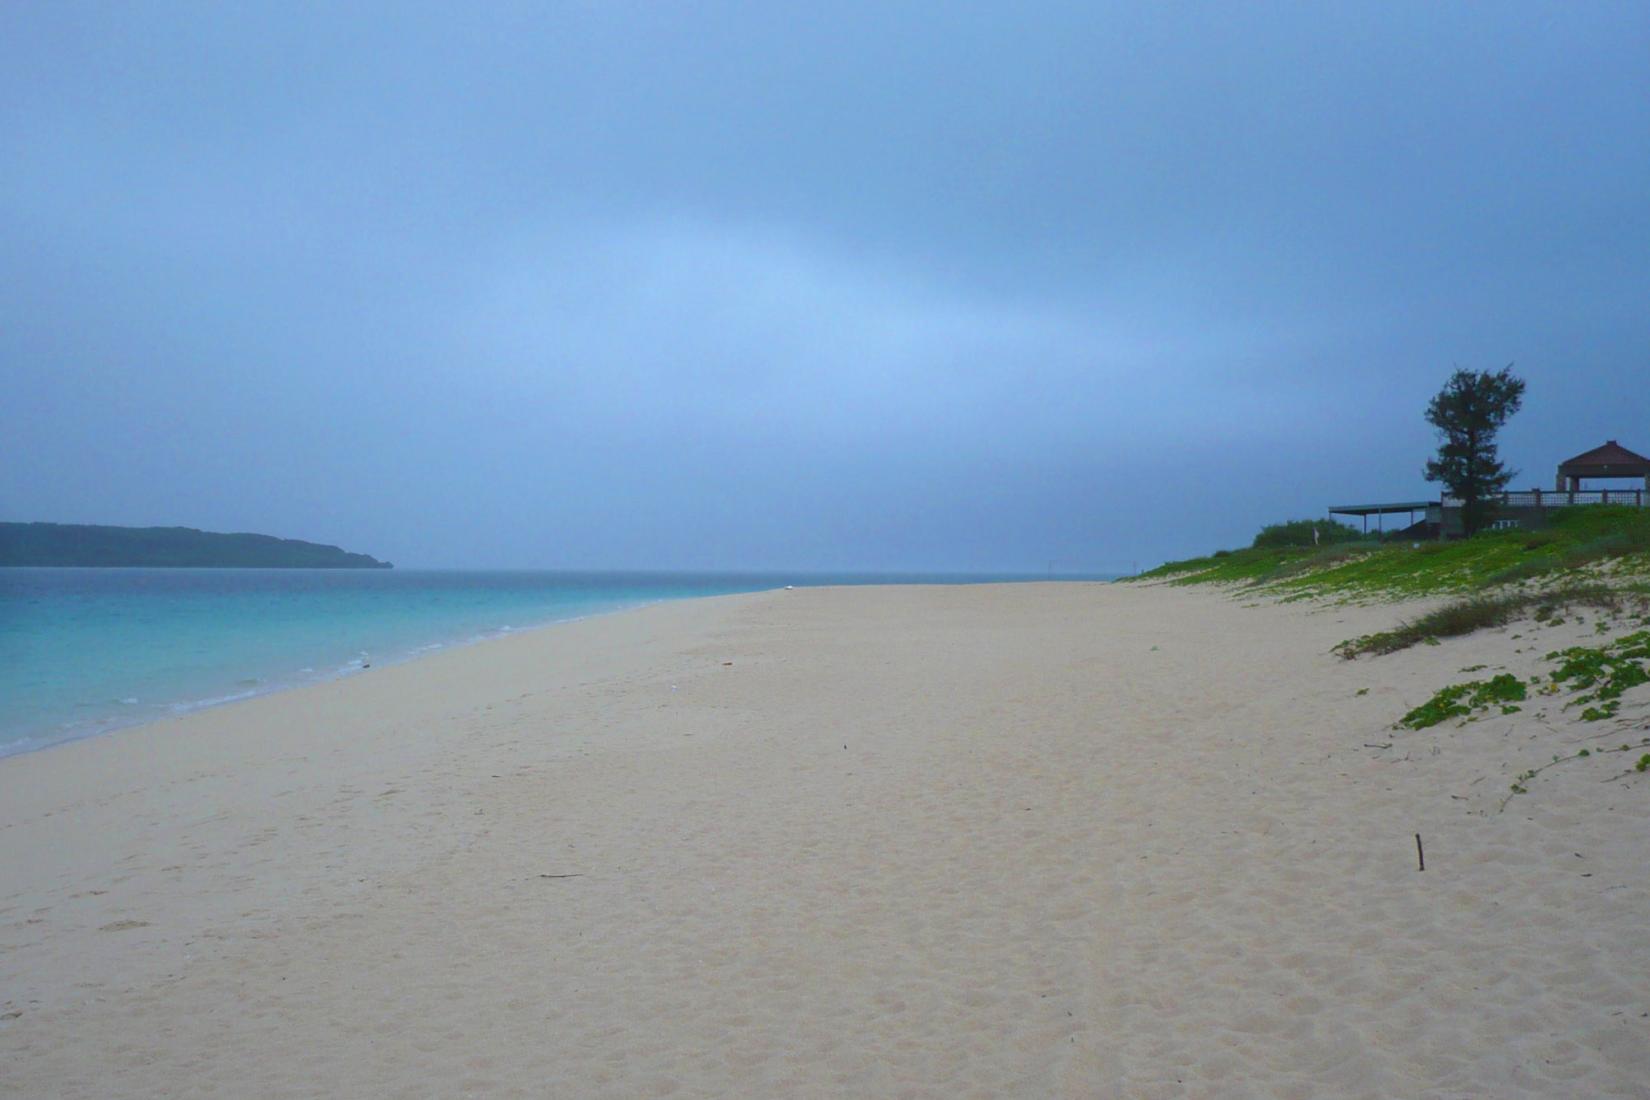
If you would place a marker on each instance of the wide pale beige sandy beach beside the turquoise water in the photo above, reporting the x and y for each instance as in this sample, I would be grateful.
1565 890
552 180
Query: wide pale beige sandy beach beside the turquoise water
933 842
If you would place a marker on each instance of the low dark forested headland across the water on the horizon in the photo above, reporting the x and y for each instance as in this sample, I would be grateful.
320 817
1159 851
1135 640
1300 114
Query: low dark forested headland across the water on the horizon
83 545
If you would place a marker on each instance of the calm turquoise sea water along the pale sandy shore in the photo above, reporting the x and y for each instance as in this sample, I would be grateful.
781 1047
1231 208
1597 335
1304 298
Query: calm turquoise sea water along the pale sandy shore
90 651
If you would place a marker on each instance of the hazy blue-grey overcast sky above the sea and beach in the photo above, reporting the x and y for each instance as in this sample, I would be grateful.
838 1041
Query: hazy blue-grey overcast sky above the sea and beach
803 286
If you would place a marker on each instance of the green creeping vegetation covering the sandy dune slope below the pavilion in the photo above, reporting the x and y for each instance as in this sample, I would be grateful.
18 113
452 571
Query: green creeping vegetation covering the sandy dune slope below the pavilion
1591 560
